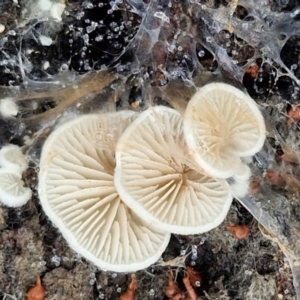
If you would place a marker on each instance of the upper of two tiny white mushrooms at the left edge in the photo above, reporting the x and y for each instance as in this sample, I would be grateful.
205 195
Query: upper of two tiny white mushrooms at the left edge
11 157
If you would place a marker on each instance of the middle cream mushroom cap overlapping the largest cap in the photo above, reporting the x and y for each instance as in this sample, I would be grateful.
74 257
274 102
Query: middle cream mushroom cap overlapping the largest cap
154 181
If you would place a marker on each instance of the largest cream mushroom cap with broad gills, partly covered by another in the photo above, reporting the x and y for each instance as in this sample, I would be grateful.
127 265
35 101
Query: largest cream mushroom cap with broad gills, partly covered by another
77 193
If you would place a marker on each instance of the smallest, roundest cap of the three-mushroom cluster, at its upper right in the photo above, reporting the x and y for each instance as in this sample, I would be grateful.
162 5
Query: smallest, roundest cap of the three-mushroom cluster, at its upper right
221 125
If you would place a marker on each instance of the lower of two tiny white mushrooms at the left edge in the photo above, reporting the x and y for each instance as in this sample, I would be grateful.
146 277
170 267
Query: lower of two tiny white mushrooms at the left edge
12 190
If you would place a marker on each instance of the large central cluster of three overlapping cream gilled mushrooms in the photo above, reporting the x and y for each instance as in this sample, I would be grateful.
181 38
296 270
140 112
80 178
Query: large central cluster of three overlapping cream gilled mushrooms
118 184
